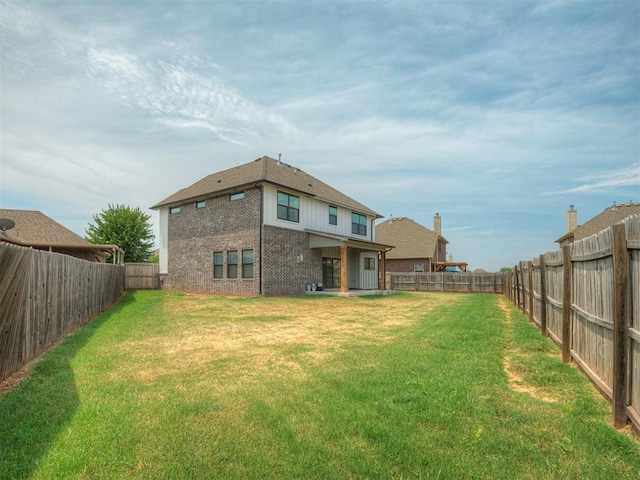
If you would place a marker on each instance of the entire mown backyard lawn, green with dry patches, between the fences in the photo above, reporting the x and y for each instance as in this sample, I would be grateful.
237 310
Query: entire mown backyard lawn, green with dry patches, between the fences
166 385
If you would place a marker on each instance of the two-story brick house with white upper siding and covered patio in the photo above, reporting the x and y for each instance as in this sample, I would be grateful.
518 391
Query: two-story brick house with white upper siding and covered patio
266 228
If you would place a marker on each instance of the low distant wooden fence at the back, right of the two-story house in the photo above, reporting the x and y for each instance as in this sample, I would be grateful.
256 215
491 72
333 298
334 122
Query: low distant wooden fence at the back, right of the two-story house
445 282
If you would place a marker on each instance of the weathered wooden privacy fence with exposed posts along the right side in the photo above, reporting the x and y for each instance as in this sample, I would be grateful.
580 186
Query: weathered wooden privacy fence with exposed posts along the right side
586 297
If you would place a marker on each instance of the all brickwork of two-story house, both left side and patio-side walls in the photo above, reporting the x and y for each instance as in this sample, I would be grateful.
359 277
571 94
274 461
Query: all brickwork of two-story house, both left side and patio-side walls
223 225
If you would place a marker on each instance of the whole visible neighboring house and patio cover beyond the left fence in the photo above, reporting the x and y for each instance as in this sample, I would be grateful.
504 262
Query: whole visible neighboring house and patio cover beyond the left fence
32 228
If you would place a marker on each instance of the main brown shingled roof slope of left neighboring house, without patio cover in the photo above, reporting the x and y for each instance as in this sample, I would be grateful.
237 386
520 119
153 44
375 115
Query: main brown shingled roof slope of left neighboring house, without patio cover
35 228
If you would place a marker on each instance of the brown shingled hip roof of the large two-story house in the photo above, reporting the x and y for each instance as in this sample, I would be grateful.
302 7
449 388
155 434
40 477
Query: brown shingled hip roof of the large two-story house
263 170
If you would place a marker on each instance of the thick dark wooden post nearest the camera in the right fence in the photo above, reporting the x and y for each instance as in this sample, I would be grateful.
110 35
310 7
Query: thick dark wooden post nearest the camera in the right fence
620 324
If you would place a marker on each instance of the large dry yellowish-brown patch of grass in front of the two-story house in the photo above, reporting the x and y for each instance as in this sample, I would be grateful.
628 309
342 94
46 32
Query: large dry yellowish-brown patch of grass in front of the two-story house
268 336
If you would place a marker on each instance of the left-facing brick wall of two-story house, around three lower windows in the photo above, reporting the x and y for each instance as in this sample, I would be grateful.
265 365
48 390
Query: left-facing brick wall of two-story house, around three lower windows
220 226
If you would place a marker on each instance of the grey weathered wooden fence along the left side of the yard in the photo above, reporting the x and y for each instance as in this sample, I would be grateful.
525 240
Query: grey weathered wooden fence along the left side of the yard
45 296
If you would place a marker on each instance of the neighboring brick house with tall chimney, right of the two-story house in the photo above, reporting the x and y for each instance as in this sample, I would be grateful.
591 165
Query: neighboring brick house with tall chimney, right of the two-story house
417 249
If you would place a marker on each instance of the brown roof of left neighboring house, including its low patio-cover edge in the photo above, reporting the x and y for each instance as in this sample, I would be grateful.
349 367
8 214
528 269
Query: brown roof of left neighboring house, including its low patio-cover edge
33 228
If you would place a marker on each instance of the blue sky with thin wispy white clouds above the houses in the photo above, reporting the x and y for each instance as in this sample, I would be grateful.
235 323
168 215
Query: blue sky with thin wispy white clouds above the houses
498 115
